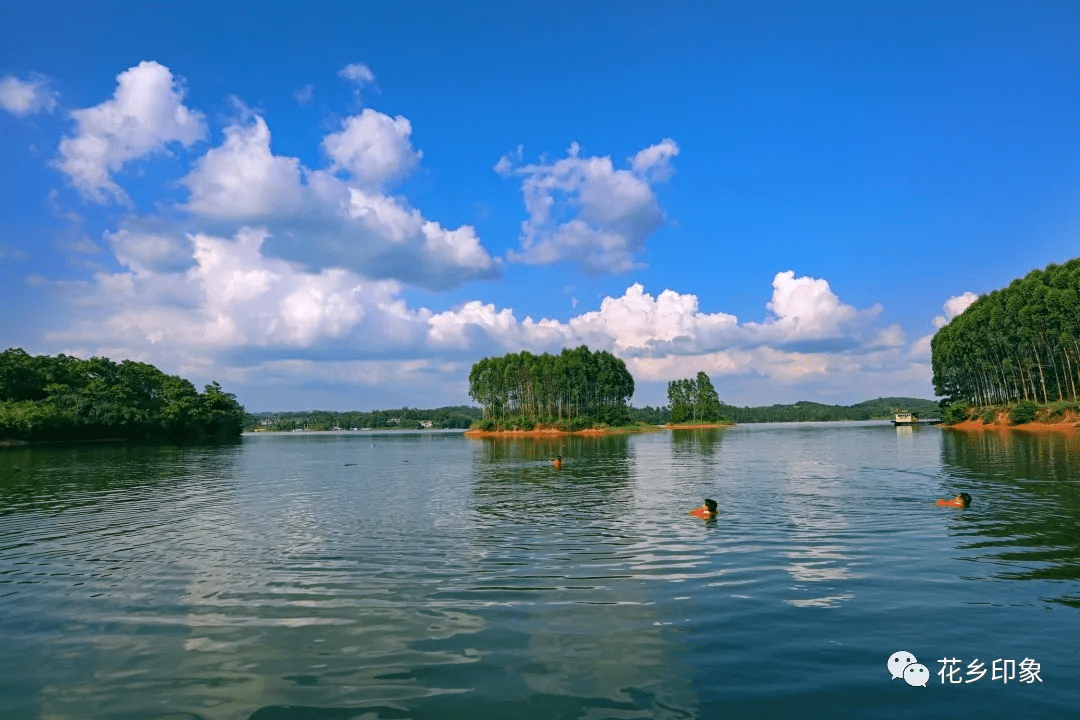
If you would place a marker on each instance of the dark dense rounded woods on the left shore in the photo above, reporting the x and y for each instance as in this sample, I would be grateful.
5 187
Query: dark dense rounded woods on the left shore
63 398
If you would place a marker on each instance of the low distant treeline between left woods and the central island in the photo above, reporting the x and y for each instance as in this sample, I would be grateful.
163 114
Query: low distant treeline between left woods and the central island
457 416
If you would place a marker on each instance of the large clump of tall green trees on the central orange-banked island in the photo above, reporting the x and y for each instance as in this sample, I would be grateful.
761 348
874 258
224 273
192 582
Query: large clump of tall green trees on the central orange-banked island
576 387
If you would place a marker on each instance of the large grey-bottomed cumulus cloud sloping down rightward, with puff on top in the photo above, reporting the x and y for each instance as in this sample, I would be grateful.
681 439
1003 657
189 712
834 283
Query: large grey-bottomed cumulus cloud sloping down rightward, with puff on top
321 221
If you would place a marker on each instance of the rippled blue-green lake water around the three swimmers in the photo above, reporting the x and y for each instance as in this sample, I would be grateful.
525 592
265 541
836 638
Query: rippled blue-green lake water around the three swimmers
428 576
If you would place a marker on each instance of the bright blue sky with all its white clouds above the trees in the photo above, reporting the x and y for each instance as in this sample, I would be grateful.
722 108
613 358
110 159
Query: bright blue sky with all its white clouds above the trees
345 208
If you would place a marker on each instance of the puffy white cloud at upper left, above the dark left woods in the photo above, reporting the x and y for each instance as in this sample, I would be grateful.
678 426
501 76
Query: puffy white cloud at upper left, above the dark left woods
145 115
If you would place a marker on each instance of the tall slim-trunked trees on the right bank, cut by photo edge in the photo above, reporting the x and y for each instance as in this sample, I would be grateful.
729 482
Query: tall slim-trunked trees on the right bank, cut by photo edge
1021 344
